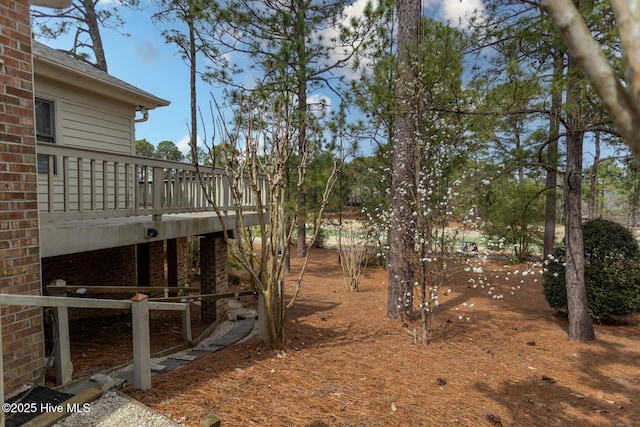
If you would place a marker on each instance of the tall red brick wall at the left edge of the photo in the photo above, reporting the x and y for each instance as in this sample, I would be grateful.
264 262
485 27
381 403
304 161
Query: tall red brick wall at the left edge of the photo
22 335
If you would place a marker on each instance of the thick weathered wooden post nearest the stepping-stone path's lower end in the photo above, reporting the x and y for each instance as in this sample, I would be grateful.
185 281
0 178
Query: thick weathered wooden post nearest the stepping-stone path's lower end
141 342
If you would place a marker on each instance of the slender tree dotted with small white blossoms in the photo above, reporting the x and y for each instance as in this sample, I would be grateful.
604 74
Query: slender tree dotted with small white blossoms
431 161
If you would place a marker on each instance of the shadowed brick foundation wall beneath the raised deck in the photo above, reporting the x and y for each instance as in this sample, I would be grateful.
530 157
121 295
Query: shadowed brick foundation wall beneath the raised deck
114 266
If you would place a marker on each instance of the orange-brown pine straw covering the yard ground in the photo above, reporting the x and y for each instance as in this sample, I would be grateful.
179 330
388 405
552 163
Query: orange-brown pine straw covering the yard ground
346 364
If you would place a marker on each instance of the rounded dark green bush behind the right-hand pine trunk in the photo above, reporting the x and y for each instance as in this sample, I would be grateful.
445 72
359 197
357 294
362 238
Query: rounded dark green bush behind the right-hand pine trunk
612 271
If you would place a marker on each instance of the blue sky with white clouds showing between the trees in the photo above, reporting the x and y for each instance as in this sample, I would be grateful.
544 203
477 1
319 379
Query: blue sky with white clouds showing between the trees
144 60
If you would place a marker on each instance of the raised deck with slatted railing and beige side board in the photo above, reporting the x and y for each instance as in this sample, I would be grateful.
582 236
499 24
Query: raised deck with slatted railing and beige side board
91 200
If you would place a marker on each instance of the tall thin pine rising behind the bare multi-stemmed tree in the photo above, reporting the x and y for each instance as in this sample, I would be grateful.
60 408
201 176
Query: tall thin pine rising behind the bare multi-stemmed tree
280 52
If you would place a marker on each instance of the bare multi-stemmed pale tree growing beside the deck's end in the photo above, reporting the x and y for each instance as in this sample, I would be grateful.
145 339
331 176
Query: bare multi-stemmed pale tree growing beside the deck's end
256 158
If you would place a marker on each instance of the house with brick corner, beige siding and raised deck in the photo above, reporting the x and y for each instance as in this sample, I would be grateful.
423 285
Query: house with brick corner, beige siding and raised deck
76 203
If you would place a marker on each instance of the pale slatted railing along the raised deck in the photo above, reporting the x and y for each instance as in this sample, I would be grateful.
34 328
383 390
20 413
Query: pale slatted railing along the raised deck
83 184
